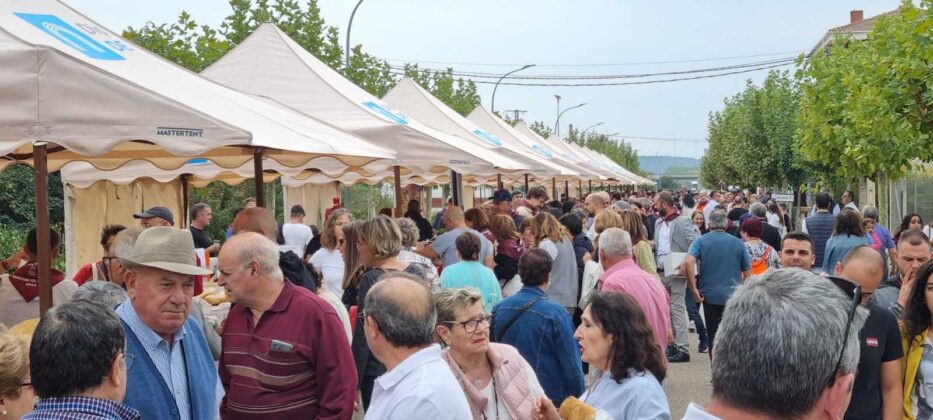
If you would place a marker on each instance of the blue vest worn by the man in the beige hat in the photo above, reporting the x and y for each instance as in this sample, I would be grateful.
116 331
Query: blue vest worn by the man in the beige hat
147 392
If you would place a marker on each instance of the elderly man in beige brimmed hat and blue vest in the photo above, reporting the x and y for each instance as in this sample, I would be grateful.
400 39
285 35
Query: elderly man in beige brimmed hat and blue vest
173 374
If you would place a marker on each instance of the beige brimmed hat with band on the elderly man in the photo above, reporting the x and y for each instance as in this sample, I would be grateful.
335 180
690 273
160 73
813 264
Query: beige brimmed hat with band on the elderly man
168 249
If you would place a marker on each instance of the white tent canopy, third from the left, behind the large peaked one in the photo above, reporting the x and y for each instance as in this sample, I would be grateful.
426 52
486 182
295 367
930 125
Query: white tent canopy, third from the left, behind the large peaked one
412 99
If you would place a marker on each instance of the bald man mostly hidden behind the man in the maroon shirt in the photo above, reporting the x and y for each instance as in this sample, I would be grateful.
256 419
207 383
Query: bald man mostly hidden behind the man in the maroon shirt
259 220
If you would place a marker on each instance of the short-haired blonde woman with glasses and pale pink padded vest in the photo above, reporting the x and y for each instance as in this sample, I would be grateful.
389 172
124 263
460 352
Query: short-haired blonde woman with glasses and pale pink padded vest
497 381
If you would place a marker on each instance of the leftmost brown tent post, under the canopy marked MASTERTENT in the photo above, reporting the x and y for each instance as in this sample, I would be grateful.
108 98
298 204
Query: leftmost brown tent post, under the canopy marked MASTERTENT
43 227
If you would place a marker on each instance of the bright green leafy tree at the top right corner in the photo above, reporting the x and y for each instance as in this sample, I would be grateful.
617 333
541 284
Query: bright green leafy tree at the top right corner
866 105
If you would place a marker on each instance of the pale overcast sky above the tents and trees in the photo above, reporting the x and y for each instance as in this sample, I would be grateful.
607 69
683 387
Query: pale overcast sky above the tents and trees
562 32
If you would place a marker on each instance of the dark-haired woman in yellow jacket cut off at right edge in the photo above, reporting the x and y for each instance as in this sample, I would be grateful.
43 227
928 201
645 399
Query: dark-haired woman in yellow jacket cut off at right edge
918 368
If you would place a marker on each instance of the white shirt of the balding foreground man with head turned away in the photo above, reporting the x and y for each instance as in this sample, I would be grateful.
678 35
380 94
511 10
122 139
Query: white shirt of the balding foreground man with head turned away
421 387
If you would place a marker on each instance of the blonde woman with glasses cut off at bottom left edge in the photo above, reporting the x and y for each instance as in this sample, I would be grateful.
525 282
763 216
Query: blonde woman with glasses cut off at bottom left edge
16 394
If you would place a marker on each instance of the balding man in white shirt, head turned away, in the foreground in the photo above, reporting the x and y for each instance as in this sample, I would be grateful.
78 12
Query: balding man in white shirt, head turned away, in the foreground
399 326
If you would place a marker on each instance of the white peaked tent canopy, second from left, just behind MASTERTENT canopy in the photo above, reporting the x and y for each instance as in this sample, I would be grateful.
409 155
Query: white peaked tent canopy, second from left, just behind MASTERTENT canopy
271 64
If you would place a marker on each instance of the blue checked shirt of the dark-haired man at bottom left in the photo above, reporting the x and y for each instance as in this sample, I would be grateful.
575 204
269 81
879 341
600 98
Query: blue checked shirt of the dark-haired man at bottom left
81 408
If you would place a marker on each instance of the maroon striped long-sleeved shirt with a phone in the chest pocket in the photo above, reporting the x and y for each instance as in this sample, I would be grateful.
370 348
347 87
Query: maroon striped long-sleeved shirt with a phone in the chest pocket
315 378
